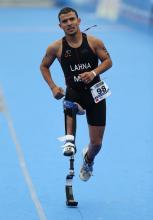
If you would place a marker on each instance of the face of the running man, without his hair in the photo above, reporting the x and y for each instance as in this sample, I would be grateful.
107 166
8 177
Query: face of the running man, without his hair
69 23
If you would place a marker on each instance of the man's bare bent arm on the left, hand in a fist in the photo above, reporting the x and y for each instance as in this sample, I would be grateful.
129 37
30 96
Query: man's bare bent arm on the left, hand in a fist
47 61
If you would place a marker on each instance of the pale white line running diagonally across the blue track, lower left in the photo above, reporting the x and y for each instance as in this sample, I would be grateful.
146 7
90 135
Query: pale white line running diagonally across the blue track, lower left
22 162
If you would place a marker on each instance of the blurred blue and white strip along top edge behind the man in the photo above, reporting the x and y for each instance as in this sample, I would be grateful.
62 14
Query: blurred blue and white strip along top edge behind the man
136 12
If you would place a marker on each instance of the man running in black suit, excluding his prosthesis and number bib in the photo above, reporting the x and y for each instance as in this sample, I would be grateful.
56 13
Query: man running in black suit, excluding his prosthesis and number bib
78 55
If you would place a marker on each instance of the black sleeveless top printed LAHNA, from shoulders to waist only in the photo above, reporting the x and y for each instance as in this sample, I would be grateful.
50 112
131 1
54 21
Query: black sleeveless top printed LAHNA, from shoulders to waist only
78 60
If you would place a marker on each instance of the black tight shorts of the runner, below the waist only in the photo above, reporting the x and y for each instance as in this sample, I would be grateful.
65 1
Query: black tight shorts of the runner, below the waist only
95 112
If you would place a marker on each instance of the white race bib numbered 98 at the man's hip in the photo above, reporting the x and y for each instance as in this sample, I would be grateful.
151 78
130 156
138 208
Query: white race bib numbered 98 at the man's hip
100 91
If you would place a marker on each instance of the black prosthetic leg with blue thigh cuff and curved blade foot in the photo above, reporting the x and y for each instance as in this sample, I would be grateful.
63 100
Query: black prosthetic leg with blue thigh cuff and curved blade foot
70 108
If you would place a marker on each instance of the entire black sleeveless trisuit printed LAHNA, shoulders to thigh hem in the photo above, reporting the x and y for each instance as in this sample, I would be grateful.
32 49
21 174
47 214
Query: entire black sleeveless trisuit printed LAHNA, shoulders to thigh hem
73 62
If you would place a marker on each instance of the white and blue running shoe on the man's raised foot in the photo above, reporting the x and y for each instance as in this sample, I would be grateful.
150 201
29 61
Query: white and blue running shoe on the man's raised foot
87 168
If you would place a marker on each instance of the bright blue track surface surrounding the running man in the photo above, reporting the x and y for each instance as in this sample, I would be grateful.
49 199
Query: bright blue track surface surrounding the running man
122 185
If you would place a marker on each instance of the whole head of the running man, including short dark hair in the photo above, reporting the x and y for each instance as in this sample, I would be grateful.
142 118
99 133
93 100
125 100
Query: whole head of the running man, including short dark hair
69 21
